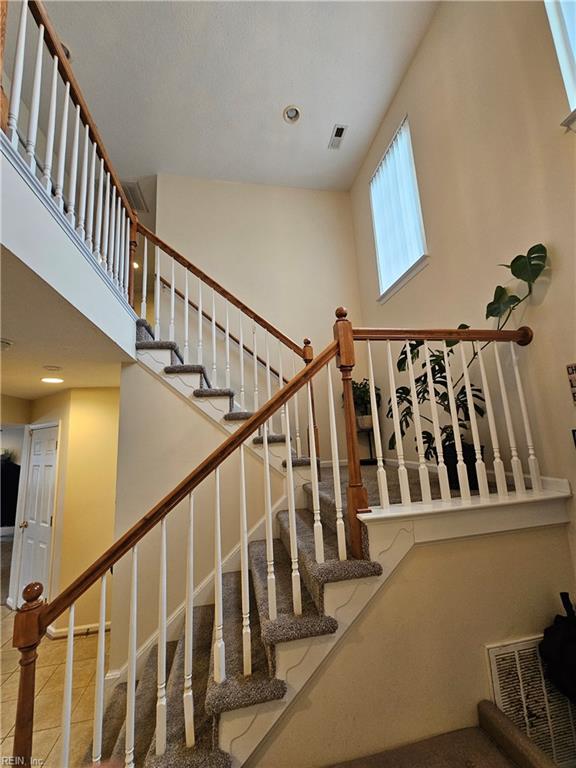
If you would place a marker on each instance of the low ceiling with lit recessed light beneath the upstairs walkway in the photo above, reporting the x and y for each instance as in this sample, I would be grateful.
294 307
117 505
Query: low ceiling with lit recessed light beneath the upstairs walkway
47 330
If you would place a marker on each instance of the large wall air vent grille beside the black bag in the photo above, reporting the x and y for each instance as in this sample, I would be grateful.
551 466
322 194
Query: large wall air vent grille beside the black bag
524 694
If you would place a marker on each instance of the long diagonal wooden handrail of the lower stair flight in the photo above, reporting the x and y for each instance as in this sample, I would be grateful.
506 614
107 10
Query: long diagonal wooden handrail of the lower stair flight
56 607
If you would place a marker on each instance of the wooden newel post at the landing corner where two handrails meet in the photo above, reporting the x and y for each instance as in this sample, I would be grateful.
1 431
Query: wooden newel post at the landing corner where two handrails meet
357 495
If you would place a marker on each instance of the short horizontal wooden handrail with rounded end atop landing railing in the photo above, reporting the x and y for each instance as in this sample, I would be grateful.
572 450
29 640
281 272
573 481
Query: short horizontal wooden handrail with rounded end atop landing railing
523 336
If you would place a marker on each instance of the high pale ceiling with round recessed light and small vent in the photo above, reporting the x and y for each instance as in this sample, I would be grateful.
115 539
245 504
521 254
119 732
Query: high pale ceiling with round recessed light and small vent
198 88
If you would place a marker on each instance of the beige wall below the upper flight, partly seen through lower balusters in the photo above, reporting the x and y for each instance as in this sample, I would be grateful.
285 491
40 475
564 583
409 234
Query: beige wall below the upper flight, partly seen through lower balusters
162 439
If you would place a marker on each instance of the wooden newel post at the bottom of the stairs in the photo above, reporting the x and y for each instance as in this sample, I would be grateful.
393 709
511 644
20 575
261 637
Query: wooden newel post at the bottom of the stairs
27 636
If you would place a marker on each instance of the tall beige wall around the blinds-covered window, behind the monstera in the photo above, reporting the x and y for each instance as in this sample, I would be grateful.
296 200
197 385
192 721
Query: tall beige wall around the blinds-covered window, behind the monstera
496 174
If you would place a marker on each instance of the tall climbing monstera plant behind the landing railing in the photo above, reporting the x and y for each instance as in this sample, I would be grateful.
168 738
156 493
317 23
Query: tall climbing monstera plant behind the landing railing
526 268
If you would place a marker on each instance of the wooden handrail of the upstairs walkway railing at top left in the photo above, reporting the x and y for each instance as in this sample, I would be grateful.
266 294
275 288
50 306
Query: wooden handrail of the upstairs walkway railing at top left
52 40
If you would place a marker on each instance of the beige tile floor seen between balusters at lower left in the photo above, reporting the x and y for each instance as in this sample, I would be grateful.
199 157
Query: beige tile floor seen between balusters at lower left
50 668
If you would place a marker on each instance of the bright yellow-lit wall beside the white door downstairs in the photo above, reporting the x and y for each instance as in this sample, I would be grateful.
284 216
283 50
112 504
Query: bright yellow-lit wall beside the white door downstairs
87 456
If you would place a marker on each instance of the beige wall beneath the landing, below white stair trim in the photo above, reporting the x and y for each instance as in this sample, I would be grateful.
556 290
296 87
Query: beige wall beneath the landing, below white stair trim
414 664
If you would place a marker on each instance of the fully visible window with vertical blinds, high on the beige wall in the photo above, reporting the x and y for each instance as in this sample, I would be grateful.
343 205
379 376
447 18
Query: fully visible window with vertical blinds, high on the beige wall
396 214
